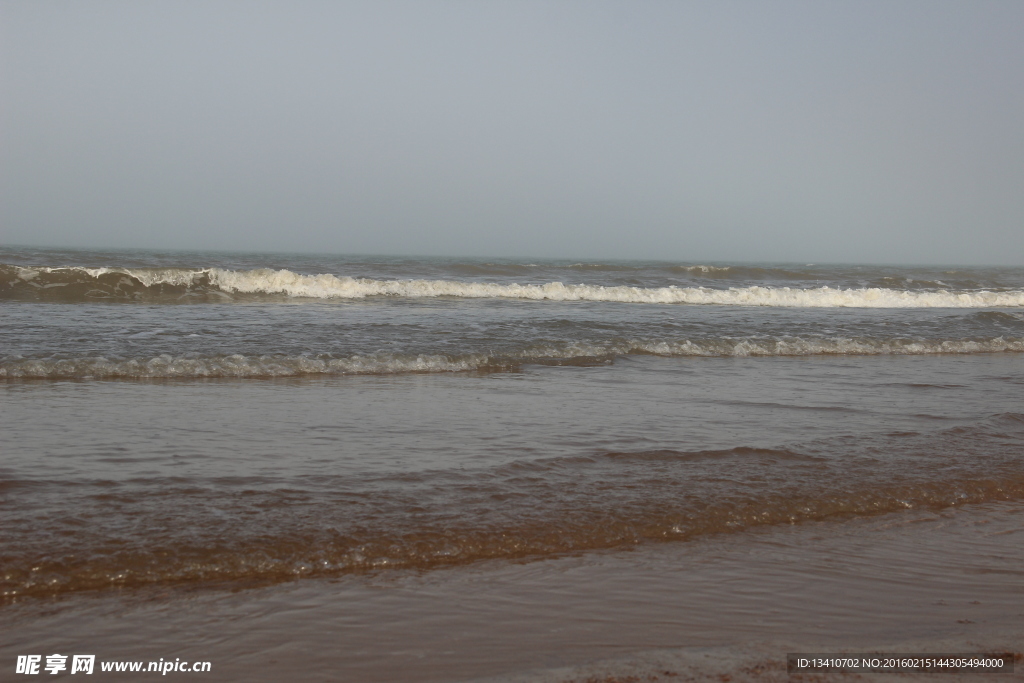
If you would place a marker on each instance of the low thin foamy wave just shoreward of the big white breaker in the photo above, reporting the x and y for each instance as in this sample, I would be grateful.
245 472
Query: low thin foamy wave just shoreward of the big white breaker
238 366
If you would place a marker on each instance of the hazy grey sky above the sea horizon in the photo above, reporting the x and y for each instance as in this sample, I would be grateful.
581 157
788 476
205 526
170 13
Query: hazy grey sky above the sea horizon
717 131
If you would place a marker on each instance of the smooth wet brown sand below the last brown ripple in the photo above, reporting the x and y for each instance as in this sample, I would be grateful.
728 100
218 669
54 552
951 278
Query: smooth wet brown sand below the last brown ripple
721 607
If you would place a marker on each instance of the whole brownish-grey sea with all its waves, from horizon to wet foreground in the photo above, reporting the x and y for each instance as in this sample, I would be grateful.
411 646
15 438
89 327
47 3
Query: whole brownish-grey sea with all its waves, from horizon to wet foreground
448 469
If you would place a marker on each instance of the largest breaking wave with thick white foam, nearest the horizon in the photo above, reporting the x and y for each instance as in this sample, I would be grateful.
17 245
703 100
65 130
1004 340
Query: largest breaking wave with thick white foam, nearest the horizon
76 284
